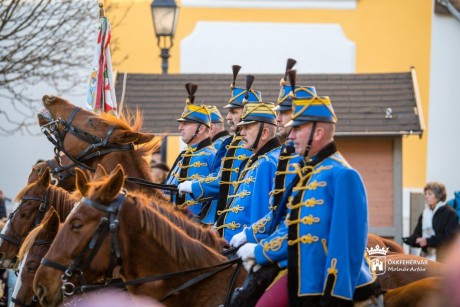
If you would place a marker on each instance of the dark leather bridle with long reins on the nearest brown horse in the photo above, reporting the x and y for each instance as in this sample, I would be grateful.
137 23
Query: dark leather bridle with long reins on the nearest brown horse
109 223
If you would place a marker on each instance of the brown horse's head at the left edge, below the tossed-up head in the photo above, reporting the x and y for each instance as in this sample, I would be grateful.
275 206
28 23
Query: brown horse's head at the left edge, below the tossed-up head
31 201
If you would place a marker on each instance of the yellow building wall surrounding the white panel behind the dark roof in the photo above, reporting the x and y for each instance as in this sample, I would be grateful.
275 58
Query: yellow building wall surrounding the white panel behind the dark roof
390 36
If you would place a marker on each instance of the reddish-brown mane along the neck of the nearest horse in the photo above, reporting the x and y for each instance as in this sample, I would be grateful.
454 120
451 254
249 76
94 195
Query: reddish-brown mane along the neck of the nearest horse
180 247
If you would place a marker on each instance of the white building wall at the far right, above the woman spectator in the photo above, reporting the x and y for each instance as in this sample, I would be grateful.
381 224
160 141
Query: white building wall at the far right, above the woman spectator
443 162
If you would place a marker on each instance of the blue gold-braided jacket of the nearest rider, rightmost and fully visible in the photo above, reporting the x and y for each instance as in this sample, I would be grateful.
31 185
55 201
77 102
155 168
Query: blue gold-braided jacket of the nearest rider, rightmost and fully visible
324 235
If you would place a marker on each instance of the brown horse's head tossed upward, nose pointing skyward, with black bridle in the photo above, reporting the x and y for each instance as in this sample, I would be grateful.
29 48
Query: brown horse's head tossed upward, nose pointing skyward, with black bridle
92 139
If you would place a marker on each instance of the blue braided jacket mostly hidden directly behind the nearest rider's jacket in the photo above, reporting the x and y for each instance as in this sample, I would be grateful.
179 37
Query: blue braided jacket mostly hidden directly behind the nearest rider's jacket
286 171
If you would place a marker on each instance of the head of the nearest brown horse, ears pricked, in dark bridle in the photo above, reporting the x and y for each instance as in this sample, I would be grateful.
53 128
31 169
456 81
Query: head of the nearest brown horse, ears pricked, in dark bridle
83 244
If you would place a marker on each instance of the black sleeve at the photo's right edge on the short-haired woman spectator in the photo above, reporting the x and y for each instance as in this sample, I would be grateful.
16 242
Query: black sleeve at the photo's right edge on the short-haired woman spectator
445 225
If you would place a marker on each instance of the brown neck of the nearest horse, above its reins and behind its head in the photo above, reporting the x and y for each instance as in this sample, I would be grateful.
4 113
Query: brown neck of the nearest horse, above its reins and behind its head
146 232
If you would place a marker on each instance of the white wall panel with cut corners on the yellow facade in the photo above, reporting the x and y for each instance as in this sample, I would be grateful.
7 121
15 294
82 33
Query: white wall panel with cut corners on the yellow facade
262 48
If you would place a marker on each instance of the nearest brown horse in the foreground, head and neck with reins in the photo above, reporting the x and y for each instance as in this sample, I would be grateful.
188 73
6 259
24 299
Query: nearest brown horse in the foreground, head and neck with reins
149 245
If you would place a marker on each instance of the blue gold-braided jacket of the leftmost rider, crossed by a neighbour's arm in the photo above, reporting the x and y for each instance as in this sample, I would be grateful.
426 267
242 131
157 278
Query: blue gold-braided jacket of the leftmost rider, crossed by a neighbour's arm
193 163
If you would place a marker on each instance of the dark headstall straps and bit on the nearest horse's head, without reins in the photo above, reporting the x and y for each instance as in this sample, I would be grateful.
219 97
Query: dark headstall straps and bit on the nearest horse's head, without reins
107 224
